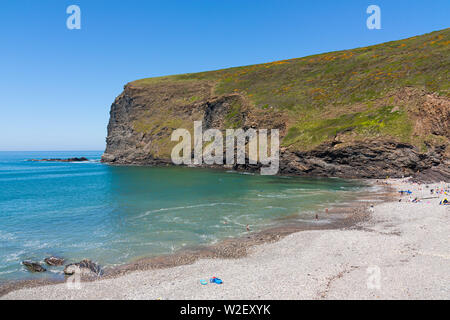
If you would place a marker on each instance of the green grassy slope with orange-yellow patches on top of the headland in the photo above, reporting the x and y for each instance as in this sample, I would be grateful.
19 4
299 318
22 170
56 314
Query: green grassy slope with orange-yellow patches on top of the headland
331 93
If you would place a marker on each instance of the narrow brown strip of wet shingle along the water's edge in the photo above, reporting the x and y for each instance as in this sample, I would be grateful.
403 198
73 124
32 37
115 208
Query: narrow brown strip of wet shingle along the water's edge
343 216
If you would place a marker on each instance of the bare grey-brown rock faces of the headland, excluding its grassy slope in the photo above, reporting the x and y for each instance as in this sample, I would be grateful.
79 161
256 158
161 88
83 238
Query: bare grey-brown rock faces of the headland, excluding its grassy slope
370 158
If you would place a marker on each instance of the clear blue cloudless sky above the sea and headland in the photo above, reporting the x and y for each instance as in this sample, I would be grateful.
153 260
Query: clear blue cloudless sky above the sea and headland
57 85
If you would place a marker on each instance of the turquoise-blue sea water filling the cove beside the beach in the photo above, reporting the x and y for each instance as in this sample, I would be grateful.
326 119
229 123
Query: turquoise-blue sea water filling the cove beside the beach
113 215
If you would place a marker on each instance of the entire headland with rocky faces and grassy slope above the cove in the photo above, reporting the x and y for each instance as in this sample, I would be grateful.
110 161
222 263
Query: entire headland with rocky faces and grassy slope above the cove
376 111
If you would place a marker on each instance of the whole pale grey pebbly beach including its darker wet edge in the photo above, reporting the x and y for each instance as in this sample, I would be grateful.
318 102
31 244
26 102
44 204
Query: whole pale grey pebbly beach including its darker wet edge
405 243
